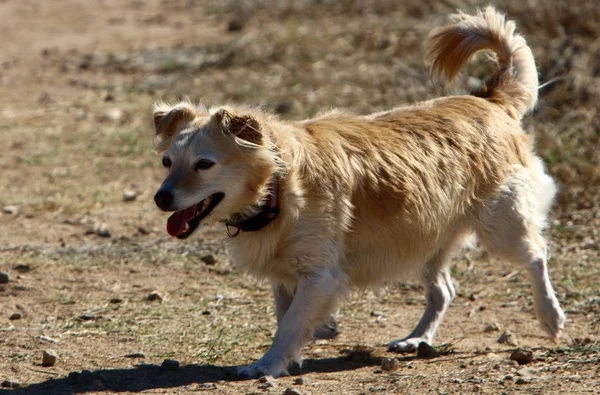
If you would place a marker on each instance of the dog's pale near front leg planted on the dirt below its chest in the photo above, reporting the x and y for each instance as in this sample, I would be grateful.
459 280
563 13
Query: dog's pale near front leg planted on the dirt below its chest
316 296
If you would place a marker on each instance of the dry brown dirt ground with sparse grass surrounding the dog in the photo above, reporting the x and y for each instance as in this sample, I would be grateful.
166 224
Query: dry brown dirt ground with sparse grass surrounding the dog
77 81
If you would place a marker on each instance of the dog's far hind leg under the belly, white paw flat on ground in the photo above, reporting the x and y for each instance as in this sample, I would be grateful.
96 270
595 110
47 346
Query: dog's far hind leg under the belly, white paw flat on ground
439 292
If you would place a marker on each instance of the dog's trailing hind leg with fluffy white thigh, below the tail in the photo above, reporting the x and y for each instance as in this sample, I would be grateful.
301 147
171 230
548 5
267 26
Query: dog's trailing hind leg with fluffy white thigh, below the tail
510 225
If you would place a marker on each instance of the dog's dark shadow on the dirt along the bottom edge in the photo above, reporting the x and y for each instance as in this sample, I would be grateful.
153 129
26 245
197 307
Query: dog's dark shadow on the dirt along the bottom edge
147 376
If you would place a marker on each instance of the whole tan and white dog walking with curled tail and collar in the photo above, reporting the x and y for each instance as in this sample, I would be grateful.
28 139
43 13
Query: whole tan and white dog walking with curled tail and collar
342 200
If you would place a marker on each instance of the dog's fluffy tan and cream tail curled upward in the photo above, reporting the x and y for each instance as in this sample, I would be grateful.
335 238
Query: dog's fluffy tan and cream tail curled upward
515 84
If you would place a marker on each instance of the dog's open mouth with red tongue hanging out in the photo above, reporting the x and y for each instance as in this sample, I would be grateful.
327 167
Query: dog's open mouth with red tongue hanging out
184 222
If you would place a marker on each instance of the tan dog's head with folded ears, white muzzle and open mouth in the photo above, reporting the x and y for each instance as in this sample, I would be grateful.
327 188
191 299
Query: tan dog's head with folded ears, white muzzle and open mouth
217 164
